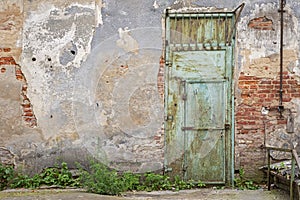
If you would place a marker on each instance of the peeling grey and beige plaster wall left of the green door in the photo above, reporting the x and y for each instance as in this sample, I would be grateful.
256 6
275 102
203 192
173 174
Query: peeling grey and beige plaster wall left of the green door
91 96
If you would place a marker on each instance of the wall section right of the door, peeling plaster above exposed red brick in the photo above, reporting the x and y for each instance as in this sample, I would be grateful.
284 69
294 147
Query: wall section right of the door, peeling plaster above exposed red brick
257 78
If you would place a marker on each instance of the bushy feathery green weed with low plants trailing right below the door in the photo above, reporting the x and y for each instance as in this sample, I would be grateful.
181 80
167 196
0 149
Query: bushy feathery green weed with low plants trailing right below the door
101 180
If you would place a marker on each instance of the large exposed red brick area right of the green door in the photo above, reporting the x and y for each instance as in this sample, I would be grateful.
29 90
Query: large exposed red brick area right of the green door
251 124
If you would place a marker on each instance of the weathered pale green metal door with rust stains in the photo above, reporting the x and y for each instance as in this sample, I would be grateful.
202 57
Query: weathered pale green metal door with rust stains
199 129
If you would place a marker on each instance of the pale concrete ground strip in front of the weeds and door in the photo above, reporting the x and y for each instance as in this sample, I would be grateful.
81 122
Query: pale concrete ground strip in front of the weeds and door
201 194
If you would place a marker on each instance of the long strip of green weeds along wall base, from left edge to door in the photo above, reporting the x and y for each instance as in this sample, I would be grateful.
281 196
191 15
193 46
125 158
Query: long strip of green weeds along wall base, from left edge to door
99 179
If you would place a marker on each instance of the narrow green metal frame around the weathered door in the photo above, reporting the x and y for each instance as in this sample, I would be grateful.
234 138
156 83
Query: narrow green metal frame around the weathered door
229 47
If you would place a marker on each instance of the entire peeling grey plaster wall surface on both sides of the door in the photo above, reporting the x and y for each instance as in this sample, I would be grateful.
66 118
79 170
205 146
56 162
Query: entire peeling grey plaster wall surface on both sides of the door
81 79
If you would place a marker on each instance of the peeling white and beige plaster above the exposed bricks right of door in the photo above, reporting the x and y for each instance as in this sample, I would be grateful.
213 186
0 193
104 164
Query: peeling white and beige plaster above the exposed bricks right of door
259 50
